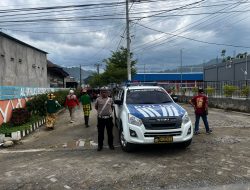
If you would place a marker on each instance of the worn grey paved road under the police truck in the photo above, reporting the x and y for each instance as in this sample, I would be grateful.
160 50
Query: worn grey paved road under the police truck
66 158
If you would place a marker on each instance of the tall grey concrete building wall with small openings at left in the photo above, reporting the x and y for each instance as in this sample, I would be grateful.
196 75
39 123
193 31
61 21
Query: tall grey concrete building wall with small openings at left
21 65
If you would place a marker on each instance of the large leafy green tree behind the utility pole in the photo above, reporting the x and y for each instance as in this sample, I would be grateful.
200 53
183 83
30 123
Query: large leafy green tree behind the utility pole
116 69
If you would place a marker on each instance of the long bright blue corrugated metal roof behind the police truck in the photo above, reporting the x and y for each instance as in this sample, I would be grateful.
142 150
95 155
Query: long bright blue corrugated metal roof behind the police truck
168 76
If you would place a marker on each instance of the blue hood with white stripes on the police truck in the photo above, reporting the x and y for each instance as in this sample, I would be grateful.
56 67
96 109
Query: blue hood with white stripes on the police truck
156 110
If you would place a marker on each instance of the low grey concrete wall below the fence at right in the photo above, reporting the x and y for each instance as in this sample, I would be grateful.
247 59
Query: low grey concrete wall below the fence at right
242 105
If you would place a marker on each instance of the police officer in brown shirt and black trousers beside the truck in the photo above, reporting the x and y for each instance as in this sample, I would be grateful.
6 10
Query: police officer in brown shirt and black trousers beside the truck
104 105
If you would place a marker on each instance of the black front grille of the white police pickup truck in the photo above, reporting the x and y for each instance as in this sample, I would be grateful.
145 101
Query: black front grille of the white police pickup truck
162 123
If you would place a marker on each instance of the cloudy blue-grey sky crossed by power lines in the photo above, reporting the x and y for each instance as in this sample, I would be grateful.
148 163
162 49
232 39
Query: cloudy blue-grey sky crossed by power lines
86 32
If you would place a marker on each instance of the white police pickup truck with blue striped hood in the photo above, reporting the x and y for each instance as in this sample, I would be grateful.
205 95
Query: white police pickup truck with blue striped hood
148 115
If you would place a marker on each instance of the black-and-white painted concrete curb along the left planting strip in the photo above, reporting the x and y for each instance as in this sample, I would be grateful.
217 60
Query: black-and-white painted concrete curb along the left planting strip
18 135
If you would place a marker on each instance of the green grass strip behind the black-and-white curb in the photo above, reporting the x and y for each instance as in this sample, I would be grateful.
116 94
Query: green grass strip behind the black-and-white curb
7 128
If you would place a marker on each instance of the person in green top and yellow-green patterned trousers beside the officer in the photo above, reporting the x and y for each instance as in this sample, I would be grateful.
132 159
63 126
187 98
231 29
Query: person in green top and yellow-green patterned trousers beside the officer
86 104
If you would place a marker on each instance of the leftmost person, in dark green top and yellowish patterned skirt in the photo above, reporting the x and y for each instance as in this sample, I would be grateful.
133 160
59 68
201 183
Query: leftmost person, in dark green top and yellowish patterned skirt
51 106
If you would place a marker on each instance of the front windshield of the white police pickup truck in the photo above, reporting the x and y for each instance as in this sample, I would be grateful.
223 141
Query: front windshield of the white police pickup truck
147 96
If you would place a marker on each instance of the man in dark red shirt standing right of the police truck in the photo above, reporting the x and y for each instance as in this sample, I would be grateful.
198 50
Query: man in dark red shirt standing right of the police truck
200 104
